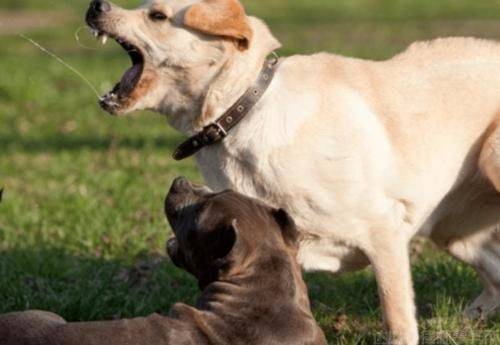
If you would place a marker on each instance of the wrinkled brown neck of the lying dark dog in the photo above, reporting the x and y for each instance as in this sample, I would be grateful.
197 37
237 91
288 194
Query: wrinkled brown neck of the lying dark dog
251 298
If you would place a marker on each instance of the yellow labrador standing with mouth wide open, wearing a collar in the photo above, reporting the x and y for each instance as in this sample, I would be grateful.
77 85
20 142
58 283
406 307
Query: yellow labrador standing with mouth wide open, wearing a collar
364 155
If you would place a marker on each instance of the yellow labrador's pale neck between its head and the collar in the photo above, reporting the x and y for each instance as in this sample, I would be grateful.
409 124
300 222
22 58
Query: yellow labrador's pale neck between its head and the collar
201 94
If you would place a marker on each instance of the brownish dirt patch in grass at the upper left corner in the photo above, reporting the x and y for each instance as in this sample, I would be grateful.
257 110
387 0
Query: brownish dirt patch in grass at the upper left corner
16 22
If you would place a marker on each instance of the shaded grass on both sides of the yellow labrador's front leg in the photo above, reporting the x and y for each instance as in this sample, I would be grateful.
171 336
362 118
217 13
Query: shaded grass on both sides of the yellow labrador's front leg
356 293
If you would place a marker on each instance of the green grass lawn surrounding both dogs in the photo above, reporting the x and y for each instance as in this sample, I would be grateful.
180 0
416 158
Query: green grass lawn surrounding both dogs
82 230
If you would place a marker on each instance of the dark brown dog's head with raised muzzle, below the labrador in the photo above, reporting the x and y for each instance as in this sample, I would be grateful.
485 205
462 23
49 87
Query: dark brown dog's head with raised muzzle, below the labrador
218 232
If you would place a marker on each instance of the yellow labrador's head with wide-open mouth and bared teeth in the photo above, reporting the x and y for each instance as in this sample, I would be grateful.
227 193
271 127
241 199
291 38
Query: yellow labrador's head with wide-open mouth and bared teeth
177 47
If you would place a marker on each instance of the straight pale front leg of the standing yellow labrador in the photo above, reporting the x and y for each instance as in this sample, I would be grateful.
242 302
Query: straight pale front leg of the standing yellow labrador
390 260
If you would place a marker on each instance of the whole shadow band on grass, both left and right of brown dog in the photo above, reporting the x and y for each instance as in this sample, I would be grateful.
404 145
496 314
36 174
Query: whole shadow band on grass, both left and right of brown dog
95 288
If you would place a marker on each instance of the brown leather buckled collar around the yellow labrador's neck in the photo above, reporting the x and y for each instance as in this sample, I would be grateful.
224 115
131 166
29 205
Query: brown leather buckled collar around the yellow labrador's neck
218 130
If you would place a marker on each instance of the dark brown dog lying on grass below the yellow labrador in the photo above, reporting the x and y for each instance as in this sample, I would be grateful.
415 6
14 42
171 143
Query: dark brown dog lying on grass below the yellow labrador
243 255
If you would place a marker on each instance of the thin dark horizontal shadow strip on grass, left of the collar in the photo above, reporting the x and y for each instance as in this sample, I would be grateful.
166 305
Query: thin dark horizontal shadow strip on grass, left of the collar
75 143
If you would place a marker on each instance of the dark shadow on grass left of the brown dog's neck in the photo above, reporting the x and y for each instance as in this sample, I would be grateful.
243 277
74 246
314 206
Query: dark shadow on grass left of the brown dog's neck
89 288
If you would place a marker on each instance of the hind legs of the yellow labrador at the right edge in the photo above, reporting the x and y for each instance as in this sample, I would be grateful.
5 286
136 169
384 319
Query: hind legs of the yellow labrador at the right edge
472 232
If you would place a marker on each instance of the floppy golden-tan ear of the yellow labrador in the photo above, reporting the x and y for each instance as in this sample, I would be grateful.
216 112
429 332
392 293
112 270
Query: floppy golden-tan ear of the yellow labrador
225 18
